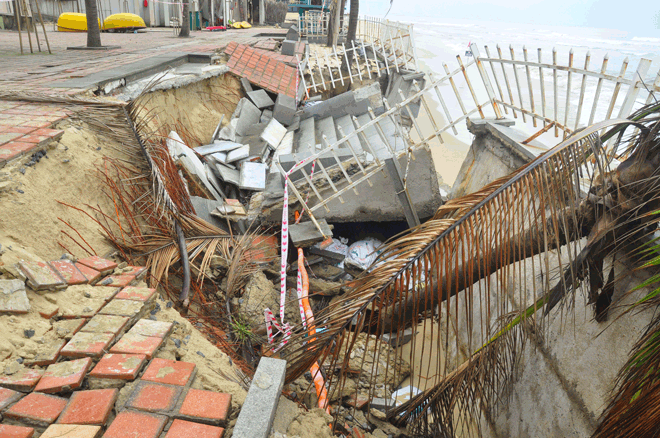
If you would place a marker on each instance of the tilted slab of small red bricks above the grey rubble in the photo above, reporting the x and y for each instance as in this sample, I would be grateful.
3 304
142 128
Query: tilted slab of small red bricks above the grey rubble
262 68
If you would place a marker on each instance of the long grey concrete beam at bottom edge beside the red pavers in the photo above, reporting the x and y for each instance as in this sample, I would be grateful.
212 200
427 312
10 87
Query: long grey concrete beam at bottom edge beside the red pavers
258 411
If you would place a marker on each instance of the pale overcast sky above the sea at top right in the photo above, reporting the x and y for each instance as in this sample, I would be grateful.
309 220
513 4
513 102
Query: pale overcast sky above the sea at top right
637 17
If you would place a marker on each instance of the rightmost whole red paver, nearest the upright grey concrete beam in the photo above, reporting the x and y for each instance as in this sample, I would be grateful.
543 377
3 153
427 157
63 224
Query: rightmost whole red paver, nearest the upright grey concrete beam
204 407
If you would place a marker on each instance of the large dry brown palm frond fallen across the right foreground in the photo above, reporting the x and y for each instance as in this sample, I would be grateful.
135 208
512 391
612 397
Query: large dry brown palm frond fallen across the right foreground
522 243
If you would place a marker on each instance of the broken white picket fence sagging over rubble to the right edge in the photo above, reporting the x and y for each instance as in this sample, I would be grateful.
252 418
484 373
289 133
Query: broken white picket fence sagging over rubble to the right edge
485 85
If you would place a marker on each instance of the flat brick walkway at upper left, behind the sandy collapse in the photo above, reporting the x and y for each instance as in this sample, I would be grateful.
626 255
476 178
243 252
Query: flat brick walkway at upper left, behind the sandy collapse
24 127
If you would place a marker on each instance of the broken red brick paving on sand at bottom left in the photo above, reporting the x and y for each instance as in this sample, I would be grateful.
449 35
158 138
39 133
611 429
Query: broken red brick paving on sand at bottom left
115 346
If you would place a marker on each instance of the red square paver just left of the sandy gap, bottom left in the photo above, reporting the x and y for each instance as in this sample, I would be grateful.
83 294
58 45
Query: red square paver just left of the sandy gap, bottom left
89 407
